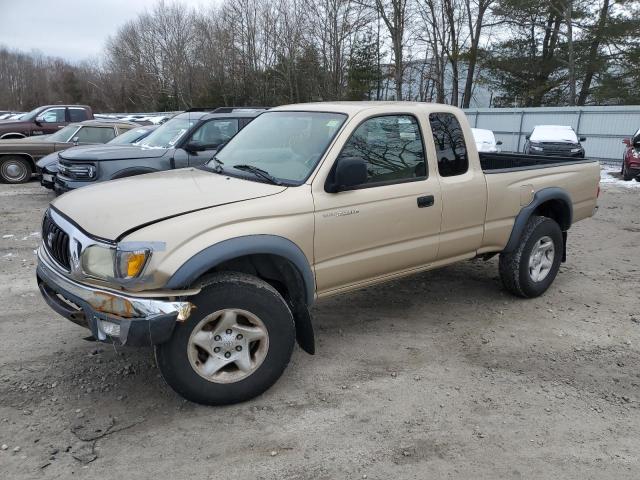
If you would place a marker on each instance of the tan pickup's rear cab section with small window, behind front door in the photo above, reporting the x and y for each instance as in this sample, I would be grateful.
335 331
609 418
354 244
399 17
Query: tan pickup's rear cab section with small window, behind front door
464 188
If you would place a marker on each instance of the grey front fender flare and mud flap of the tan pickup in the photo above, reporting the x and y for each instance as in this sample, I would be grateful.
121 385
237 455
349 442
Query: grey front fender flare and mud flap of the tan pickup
275 259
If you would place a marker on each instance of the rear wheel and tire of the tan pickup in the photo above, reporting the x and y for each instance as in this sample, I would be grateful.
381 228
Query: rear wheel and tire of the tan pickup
516 272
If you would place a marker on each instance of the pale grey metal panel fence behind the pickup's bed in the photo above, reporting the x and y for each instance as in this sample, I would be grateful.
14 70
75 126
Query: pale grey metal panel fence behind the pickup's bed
603 127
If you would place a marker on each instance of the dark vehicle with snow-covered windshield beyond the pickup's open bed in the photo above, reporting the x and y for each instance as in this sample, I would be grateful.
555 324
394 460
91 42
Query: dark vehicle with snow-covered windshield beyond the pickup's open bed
554 140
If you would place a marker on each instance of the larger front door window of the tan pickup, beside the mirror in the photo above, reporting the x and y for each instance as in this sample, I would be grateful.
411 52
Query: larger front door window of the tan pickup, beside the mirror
391 146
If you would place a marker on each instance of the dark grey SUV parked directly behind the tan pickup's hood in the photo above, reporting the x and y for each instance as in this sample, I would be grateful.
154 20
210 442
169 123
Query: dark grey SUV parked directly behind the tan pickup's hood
188 139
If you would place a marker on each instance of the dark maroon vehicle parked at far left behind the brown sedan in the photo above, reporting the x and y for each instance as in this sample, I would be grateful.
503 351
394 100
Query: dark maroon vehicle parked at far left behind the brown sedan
44 120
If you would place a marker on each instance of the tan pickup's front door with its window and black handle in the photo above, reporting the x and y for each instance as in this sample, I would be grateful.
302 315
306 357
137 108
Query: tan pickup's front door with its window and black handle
387 225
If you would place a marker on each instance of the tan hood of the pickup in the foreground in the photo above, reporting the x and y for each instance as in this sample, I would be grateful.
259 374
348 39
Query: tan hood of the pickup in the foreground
110 209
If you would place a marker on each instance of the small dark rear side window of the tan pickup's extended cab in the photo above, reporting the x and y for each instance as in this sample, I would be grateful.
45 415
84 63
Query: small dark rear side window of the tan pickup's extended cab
450 147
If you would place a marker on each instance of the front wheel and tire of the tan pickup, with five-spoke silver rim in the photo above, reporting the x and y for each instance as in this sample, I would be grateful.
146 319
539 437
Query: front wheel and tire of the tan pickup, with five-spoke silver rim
184 364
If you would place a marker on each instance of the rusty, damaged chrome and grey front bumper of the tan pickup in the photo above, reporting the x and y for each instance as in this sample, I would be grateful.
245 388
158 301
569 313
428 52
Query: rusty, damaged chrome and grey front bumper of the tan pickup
111 316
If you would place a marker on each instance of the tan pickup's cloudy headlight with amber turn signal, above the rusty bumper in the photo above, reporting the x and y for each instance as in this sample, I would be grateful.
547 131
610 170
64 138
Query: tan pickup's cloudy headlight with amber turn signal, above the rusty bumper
108 263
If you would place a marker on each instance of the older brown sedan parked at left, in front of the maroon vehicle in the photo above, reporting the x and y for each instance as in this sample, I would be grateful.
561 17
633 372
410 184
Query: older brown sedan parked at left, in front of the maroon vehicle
18 156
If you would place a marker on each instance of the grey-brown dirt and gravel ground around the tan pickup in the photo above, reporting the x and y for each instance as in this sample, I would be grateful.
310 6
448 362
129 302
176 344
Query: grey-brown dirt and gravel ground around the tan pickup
443 375
